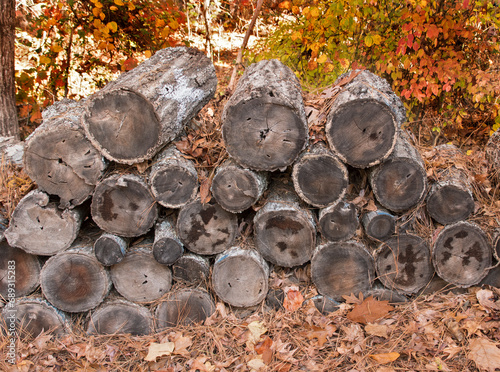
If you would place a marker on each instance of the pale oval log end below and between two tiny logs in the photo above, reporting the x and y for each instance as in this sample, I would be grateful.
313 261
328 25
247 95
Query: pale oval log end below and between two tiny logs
140 278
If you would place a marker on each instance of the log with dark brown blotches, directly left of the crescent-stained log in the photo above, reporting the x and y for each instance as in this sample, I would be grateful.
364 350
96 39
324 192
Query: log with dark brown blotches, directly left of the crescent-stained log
206 229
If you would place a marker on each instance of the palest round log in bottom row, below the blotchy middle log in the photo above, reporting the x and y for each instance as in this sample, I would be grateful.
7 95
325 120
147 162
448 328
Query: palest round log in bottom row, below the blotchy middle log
240 277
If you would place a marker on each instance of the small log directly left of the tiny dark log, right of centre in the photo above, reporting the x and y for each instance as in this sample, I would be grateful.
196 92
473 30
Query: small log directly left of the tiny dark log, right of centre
338 221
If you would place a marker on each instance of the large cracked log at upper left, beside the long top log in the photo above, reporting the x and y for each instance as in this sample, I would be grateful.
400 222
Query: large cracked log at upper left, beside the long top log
60 159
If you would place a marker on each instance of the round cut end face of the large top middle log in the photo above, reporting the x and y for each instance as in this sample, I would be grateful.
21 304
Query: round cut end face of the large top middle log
263 135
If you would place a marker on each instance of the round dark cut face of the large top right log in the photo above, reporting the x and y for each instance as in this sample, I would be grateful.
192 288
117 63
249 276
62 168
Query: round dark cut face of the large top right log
362 132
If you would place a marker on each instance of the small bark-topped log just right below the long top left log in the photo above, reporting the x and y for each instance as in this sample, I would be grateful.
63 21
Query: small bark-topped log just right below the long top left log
173 178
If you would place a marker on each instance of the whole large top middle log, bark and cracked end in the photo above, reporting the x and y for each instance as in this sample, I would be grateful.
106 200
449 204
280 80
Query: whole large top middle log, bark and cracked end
264 125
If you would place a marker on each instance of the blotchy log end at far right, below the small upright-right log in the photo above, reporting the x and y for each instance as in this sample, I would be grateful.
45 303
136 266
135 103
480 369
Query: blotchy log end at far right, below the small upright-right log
462 254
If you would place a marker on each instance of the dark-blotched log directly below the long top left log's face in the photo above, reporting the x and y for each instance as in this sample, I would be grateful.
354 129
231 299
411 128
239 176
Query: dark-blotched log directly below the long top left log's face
123 205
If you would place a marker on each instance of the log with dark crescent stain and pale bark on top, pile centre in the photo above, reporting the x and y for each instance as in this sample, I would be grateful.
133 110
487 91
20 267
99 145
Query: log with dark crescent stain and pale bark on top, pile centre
285 231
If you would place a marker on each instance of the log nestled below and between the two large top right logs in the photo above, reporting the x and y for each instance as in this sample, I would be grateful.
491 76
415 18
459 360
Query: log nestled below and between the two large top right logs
319 177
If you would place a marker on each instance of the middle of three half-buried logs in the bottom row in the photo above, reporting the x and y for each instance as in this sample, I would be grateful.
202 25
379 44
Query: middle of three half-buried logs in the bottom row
119 316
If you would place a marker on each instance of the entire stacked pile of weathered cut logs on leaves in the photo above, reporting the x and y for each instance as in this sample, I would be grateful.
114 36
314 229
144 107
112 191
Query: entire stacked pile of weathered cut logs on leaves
164 252
